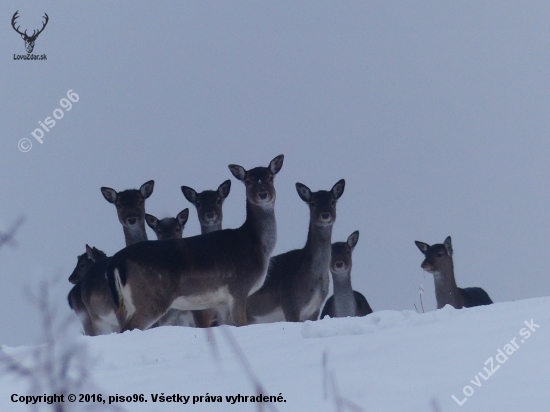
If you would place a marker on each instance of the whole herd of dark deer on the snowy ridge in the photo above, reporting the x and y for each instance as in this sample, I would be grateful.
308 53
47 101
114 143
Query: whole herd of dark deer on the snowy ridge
229 276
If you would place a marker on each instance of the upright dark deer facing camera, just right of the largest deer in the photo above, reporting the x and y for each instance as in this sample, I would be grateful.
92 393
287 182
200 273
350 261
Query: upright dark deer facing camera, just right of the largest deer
297 281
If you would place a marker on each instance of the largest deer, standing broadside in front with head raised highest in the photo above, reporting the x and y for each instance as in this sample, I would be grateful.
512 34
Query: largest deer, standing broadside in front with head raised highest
204 271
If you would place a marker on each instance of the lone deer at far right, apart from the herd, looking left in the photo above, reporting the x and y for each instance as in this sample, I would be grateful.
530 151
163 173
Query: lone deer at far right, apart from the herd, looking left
439 262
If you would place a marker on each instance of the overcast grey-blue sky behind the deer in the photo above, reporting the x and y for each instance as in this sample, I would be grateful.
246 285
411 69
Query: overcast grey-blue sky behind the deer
435 113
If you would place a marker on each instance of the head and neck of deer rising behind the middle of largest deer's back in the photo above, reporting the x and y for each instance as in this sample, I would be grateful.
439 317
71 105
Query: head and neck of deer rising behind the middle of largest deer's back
209 205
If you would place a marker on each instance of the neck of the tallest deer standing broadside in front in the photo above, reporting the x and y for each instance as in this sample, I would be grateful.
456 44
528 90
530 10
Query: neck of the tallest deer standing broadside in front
261 225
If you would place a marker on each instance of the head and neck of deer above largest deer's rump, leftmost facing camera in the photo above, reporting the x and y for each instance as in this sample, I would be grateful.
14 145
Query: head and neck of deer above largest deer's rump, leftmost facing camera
130 205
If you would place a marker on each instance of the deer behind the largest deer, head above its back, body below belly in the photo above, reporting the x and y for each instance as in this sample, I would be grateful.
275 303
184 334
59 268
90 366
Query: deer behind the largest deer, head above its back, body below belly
209 210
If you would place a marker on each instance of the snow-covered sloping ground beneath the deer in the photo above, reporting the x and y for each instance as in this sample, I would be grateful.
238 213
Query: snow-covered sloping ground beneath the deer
388 361
